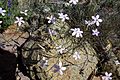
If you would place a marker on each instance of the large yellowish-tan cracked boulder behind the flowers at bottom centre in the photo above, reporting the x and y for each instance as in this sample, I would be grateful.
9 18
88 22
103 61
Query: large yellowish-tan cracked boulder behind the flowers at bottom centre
36 48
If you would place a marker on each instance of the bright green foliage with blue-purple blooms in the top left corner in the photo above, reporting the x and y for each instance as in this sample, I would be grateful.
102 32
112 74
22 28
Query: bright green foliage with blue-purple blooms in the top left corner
12 11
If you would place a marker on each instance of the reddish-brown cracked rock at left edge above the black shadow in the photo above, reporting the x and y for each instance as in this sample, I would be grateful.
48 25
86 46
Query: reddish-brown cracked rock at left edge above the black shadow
12 37
